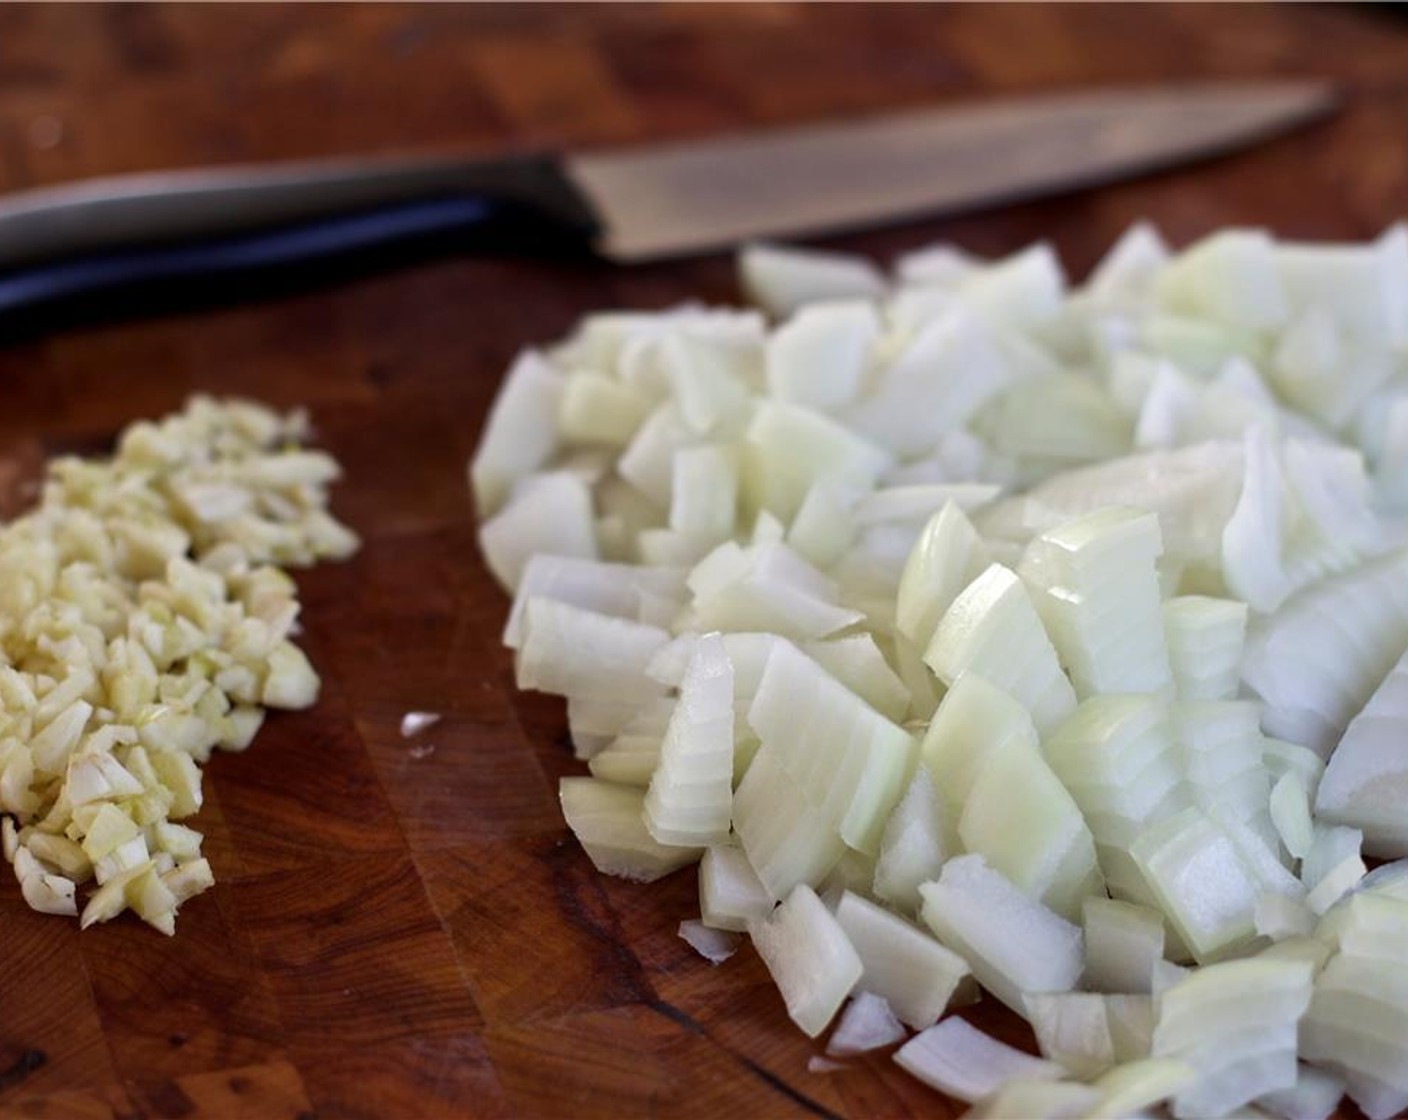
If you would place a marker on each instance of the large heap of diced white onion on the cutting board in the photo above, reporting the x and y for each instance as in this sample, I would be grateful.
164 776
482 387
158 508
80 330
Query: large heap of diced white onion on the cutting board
985 637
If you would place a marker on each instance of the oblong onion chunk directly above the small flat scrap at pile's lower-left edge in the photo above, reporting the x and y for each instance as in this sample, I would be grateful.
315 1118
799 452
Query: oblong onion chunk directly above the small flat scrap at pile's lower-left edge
913 973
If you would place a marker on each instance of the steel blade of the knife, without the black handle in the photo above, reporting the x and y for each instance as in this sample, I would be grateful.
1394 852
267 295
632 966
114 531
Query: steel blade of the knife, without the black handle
686 198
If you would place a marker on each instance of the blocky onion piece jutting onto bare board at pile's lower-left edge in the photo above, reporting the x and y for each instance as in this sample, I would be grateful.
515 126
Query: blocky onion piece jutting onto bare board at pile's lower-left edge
809 957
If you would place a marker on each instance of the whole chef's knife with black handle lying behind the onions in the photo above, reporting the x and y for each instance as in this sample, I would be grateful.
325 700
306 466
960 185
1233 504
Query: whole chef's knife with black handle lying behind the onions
151 242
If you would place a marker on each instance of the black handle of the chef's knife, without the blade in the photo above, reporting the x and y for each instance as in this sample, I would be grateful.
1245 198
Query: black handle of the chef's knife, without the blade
175 243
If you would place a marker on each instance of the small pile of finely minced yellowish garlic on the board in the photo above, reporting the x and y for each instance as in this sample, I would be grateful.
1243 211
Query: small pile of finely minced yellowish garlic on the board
146 621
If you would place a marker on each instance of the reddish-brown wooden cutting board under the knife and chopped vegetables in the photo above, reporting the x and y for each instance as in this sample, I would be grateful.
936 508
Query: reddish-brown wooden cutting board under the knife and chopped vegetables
415 935
